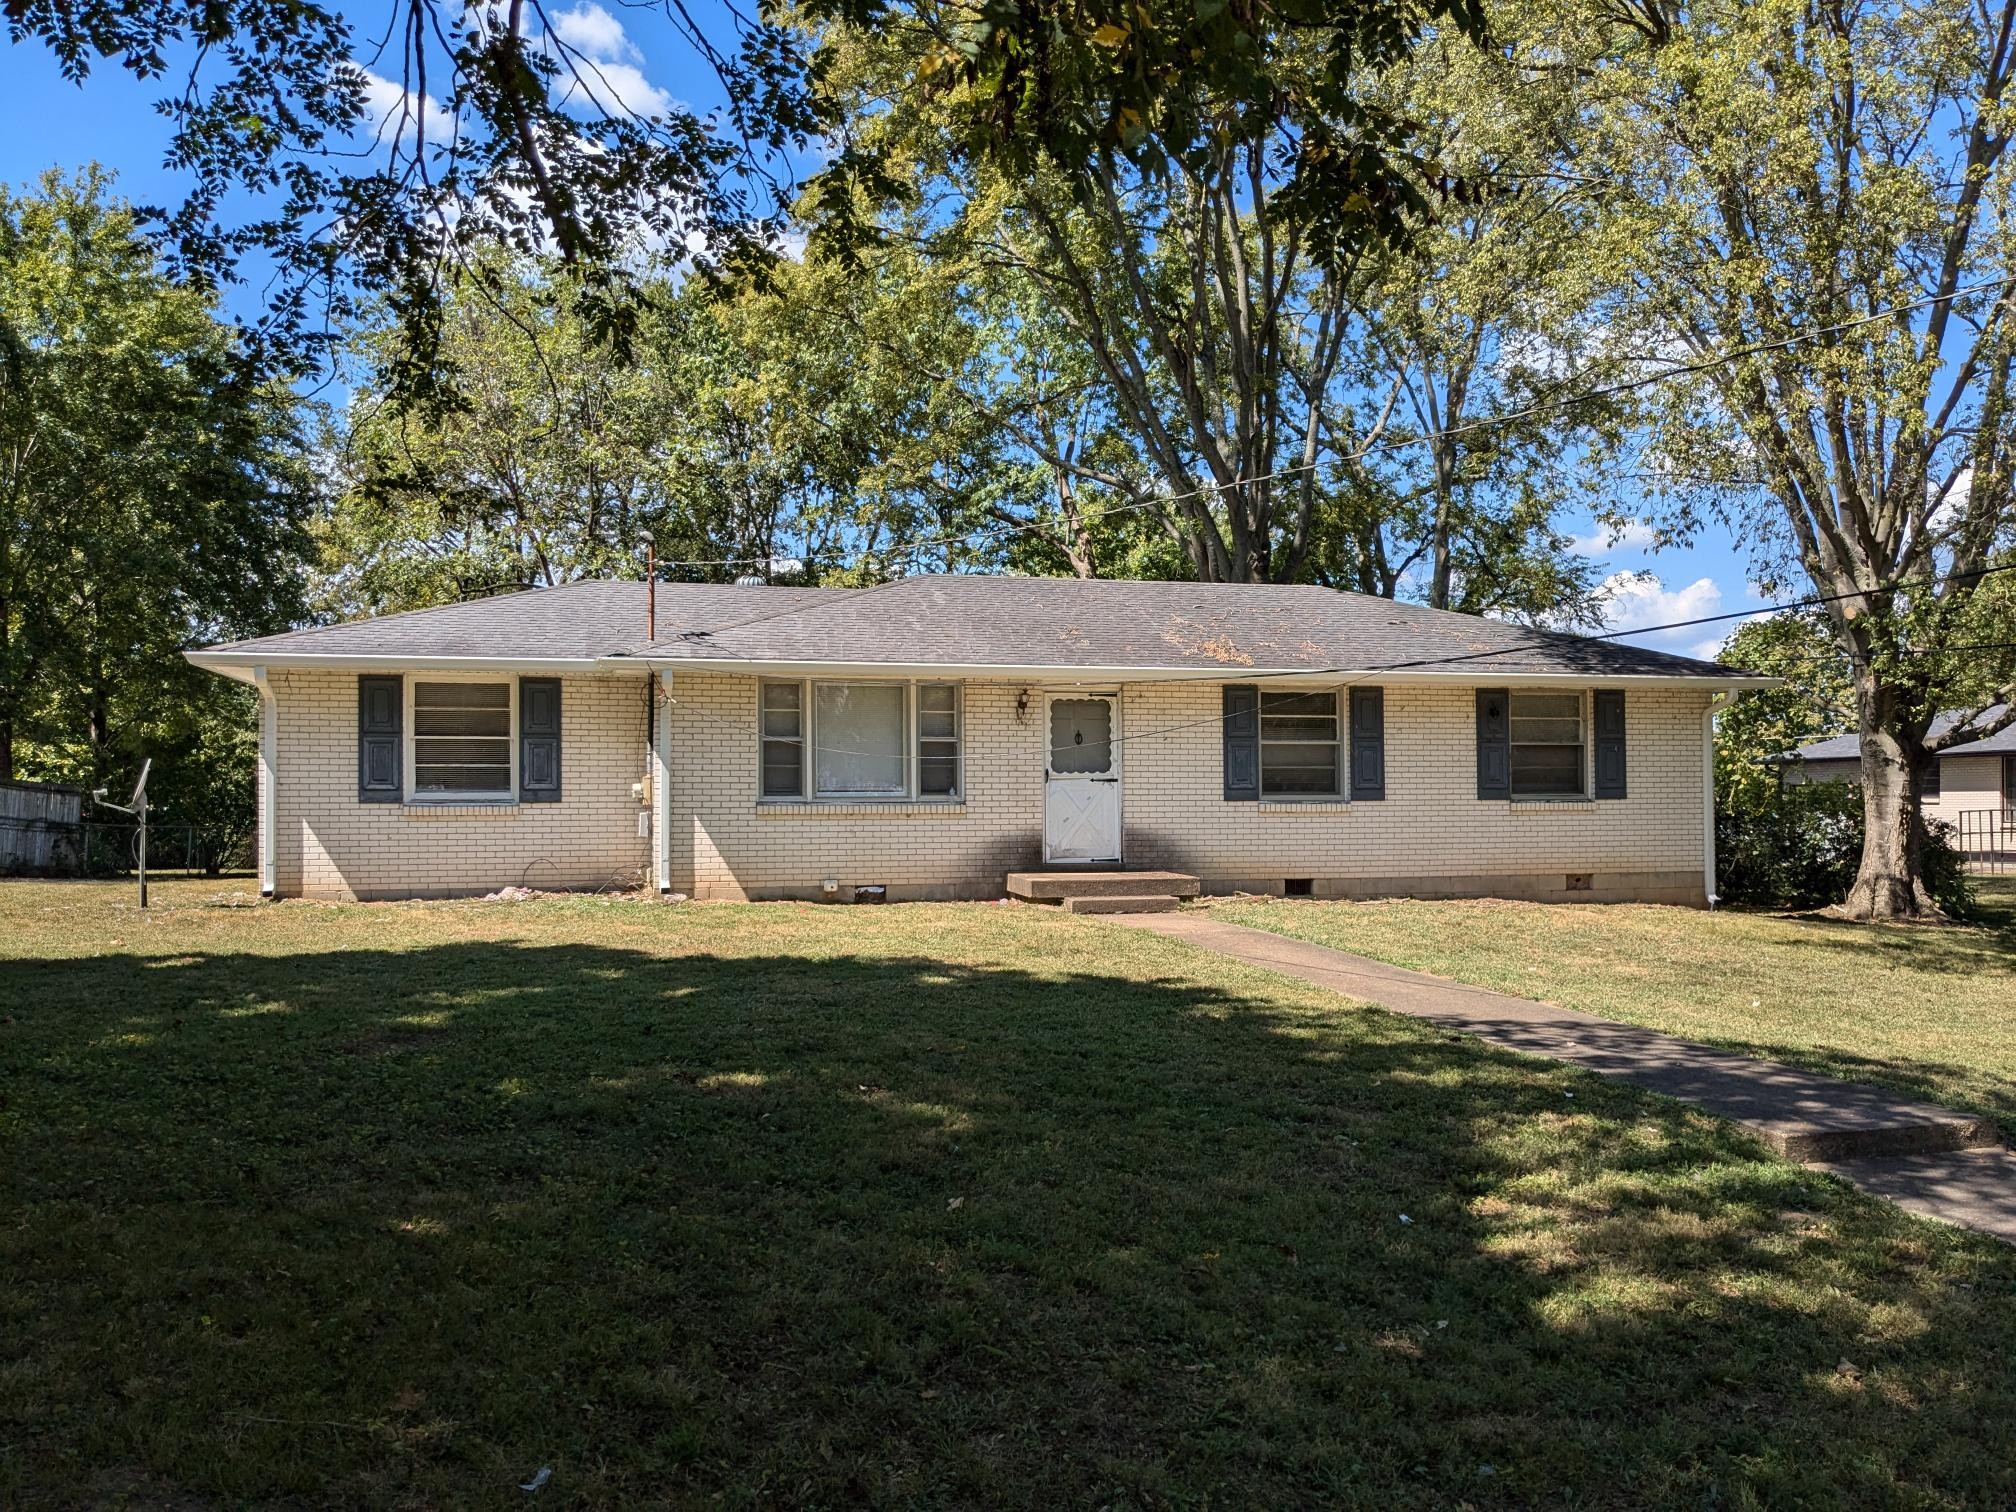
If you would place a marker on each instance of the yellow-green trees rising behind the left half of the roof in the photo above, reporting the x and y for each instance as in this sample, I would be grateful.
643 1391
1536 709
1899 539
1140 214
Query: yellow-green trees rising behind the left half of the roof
781 424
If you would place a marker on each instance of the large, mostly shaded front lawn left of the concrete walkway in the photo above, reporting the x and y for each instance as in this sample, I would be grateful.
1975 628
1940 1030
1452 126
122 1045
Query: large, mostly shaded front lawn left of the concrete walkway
916 1207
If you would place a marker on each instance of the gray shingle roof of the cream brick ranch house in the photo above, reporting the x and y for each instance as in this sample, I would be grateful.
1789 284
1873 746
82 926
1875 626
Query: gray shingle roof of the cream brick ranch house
989 622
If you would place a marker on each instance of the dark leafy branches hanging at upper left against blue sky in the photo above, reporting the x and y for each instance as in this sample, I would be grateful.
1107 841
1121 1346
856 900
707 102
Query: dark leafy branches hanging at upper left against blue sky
497 132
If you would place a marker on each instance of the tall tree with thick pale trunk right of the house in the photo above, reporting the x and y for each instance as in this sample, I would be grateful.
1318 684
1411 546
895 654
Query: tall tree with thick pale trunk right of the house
1819 211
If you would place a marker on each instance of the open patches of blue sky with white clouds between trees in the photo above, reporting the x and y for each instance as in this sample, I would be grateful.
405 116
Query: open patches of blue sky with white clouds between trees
47 122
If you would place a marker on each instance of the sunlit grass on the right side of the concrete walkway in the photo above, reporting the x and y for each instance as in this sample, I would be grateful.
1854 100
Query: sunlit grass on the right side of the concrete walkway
1926 1011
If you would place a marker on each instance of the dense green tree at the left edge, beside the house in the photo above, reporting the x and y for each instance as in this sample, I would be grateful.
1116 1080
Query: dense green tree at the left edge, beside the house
150 501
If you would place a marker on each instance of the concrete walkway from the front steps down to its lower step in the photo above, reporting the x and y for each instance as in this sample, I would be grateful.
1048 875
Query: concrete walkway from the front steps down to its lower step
1799 1114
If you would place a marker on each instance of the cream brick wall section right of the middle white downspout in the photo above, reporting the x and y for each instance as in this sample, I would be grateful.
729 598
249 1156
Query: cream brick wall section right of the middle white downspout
1430 834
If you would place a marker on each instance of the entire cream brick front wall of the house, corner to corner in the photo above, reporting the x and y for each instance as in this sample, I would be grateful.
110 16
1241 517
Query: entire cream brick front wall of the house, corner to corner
1430 836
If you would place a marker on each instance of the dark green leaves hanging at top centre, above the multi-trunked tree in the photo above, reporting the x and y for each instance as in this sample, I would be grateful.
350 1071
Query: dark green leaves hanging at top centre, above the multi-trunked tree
1082 88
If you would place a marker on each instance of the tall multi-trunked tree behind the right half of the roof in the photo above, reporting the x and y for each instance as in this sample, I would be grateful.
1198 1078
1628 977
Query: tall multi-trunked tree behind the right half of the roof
1184 344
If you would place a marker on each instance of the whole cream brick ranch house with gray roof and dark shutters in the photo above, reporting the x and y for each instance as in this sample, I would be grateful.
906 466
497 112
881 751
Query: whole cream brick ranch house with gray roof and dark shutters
932 735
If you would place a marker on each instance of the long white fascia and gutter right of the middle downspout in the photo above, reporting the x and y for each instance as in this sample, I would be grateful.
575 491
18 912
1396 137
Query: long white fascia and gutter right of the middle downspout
1477 676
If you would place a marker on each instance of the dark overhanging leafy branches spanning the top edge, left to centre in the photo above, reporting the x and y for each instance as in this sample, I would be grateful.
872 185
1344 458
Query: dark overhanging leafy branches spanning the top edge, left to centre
503 128
